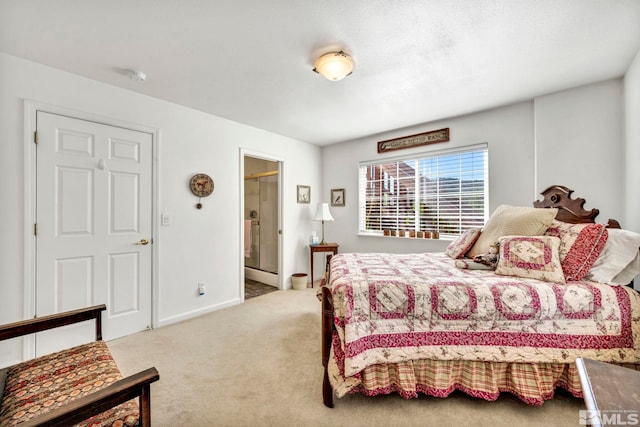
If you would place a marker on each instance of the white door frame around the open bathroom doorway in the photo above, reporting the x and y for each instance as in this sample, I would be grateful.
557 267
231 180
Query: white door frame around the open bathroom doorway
265 156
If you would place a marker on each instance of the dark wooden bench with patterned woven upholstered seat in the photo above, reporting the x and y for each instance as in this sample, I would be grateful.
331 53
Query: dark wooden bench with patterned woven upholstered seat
81 385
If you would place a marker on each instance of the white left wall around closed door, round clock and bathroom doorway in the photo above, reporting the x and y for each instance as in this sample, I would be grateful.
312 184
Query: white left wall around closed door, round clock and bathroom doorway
199 245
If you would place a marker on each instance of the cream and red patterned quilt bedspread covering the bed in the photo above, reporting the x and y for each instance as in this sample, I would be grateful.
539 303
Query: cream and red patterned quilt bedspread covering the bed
392 307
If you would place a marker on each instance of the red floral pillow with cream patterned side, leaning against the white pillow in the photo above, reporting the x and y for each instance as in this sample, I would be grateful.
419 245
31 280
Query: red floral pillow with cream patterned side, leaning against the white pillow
580 246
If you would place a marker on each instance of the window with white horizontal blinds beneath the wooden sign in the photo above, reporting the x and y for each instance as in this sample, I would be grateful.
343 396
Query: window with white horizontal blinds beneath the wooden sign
444 192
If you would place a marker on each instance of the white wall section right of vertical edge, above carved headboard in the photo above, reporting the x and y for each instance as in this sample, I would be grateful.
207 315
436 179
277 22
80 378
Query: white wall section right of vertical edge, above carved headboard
580 144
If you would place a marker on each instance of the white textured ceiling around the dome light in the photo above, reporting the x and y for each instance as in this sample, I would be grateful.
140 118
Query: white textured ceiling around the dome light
250 60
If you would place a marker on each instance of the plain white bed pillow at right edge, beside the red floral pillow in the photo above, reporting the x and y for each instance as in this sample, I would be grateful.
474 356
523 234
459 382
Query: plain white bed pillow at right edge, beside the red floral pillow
619 252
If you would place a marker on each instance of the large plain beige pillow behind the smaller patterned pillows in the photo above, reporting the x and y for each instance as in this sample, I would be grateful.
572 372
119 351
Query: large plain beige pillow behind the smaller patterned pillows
509 220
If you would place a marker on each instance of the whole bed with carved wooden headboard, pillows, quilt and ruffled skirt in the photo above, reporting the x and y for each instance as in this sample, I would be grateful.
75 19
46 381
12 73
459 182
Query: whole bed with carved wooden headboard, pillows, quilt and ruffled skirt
418 324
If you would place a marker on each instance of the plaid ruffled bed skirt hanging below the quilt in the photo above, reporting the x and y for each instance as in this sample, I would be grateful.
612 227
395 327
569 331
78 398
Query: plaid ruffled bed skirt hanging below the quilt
533 383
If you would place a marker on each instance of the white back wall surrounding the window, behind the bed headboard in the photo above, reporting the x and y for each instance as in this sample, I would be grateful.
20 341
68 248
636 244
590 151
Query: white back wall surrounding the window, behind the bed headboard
573 138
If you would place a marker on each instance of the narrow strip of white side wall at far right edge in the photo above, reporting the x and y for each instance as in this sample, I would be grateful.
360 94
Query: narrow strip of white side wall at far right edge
631 197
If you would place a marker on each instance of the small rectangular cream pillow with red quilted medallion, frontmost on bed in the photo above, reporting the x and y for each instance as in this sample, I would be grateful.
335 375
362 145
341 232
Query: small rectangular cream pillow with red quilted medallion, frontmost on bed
532 257
